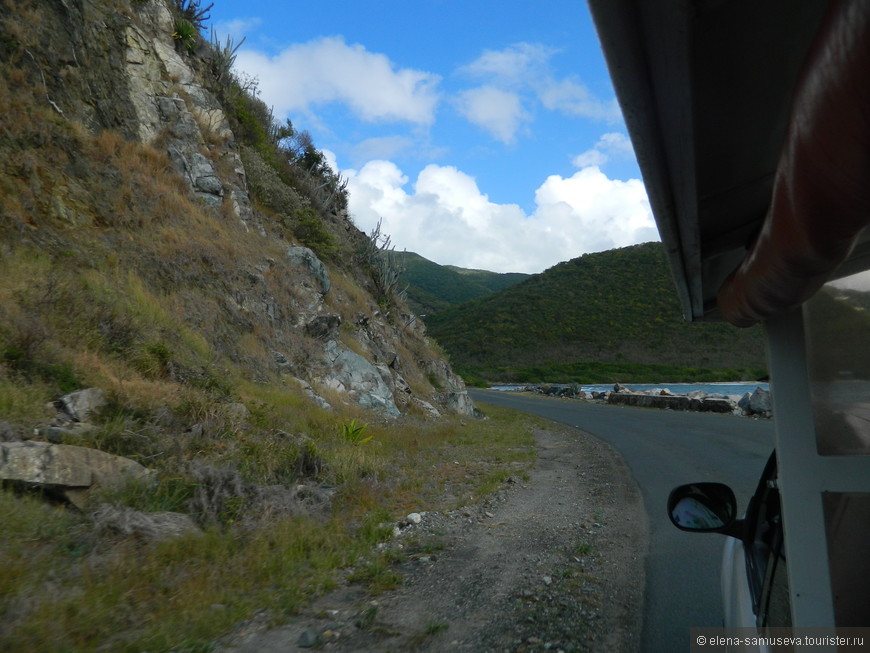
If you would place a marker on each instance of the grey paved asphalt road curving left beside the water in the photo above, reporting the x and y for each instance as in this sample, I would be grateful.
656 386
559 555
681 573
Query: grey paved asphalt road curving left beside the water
665 449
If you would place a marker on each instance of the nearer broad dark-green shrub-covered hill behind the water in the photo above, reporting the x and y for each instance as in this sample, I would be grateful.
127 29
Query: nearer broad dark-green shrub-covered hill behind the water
604 317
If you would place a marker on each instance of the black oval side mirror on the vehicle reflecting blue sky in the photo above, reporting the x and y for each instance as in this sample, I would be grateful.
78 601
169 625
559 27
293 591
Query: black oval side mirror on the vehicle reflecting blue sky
704 508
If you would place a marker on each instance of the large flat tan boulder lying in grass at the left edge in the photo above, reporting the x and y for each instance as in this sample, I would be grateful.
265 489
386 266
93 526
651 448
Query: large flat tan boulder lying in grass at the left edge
65 469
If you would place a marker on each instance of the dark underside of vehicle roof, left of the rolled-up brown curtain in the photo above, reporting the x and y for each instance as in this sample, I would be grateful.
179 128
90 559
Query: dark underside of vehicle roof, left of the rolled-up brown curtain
706 88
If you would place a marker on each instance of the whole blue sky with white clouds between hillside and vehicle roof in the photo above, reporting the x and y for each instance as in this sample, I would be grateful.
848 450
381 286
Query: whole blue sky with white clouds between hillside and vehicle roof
480 134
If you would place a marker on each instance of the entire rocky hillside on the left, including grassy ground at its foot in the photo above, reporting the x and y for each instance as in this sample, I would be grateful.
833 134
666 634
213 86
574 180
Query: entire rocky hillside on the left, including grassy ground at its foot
210 397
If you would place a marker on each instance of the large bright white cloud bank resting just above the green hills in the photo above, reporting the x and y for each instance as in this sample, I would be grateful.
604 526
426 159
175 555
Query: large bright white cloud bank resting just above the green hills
446 218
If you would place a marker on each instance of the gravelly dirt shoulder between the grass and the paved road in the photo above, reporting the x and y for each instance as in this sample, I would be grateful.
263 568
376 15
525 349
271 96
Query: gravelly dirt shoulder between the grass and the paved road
554 562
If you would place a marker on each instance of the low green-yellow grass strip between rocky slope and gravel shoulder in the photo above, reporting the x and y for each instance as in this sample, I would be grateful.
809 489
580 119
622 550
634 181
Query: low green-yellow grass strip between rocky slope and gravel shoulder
66 584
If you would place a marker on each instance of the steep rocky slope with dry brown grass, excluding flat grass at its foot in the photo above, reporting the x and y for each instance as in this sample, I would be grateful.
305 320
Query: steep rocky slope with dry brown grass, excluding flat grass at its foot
161 234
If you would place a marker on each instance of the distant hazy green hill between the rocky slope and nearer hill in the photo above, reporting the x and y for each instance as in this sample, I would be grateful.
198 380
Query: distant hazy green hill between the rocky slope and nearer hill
433 287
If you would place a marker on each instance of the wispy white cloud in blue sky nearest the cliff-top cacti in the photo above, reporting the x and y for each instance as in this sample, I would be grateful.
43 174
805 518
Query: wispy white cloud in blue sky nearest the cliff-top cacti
328 70
